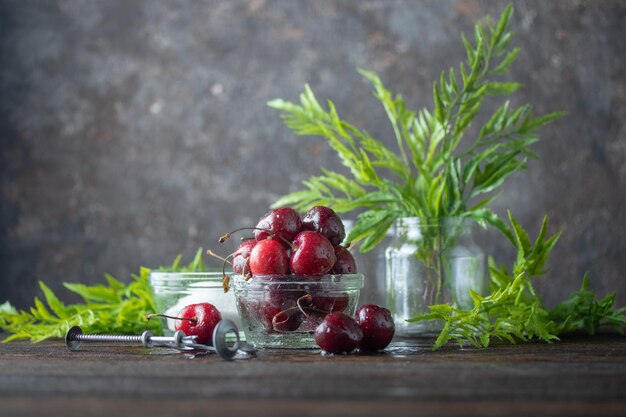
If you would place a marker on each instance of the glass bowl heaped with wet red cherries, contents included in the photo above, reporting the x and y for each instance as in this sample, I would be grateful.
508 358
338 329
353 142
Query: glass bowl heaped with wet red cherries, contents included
291 275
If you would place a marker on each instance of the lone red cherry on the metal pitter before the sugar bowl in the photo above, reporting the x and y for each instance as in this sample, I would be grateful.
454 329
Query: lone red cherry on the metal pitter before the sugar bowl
198 320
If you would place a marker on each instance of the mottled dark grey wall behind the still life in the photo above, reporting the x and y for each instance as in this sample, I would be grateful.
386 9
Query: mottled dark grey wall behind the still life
132 131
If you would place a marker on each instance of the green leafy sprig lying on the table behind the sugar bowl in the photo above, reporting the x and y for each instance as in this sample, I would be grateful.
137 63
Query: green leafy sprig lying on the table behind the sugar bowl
113 307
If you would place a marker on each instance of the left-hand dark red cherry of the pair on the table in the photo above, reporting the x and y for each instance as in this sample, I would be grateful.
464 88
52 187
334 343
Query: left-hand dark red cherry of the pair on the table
338 333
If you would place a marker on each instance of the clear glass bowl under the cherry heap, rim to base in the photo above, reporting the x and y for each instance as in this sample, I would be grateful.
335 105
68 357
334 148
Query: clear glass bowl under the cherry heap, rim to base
282 311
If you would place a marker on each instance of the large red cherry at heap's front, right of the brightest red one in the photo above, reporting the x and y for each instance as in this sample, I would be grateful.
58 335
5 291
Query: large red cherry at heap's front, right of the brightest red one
313 254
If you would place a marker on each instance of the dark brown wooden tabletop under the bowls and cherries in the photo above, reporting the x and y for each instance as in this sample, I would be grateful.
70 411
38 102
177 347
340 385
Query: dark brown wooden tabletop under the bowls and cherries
577 376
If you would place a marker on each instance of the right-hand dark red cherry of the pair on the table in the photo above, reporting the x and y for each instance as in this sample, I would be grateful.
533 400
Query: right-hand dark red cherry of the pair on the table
377 325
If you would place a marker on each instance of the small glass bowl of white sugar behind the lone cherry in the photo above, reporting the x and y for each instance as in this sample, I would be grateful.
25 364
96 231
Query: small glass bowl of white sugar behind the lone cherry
175 290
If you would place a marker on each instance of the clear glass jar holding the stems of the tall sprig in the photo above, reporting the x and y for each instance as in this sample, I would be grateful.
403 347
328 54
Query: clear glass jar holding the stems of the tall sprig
431 262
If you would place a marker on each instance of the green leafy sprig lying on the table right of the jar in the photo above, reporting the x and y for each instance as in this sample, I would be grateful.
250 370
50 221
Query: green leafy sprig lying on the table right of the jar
514 312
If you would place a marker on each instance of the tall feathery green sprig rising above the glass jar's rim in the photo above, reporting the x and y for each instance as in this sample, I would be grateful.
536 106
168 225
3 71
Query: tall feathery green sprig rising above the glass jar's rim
429 176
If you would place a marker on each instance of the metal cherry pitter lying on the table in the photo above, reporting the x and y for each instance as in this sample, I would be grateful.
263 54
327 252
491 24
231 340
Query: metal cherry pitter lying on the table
225 350
